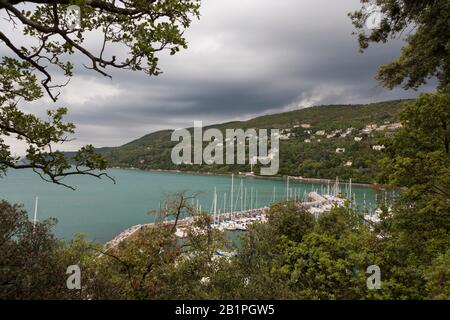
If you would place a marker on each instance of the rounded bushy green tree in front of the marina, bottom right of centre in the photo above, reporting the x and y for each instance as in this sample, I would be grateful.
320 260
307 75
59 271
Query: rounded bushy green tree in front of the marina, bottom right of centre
295 256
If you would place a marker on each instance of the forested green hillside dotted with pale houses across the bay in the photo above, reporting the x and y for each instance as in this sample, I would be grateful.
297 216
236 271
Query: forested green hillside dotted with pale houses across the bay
310 139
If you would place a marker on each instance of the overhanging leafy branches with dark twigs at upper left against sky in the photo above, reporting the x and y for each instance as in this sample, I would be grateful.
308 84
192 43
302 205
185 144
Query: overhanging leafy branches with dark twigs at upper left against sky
139 29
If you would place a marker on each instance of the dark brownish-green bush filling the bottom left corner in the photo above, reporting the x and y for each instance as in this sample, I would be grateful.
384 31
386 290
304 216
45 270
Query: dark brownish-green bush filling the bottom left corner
32 266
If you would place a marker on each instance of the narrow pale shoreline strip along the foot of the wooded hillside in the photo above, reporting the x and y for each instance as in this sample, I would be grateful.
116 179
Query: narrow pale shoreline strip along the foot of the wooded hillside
278 178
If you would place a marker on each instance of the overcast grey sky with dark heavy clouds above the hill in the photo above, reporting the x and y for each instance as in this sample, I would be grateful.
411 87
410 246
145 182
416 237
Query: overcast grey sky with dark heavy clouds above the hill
245 58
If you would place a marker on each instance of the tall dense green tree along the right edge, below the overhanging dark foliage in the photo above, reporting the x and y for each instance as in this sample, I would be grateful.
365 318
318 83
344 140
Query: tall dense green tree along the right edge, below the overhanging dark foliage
417 161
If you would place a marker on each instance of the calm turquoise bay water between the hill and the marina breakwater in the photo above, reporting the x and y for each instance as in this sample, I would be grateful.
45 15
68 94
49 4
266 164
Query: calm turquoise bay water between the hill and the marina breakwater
101 209
